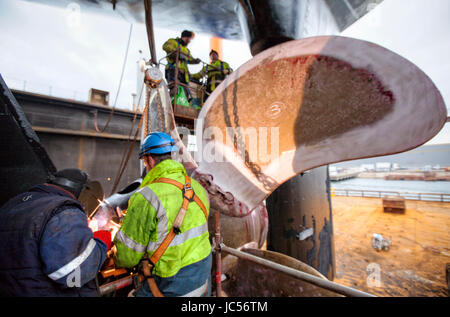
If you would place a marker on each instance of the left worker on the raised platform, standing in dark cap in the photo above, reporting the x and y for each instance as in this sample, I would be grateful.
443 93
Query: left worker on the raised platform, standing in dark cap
171 47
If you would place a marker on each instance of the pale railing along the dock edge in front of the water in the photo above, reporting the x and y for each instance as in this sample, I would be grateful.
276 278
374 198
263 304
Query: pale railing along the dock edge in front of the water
440 197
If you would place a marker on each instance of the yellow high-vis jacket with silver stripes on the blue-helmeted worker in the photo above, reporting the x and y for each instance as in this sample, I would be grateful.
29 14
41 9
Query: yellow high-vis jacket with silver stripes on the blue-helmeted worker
150 216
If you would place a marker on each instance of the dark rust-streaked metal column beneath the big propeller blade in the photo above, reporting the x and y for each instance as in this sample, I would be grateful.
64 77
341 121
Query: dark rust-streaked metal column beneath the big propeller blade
297 206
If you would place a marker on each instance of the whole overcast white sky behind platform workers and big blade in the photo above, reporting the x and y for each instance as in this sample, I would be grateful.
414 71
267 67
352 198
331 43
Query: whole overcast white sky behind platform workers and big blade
55 54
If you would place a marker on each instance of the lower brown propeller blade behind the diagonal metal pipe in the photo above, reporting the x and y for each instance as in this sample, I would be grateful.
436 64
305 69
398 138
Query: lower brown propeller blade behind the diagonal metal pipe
268 282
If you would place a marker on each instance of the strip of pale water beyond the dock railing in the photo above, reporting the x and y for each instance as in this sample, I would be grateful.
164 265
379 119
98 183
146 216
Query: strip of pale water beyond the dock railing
393 185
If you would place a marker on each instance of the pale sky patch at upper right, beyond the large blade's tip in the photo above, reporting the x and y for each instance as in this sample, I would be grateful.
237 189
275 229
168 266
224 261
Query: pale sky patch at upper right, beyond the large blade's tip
419 30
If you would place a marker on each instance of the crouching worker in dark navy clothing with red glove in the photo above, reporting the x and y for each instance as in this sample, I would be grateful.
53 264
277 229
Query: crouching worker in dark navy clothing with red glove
47 247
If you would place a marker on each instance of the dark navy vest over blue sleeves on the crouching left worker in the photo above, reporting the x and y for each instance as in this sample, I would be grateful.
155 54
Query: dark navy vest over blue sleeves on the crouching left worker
22 223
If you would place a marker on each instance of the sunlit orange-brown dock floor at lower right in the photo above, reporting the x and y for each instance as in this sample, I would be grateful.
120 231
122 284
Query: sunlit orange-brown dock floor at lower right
415 263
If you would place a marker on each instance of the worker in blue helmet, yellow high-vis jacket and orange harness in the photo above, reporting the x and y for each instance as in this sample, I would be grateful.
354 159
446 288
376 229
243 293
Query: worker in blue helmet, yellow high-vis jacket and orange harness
165 230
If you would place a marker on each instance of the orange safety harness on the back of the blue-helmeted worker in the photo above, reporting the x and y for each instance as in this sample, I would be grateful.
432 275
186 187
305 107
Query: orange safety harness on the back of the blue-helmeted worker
188 197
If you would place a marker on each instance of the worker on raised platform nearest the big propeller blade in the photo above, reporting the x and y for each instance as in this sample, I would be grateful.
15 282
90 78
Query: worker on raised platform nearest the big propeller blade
215 73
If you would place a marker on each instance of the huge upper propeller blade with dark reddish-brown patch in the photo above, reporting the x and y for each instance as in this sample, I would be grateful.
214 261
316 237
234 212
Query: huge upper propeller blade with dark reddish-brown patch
332 99
